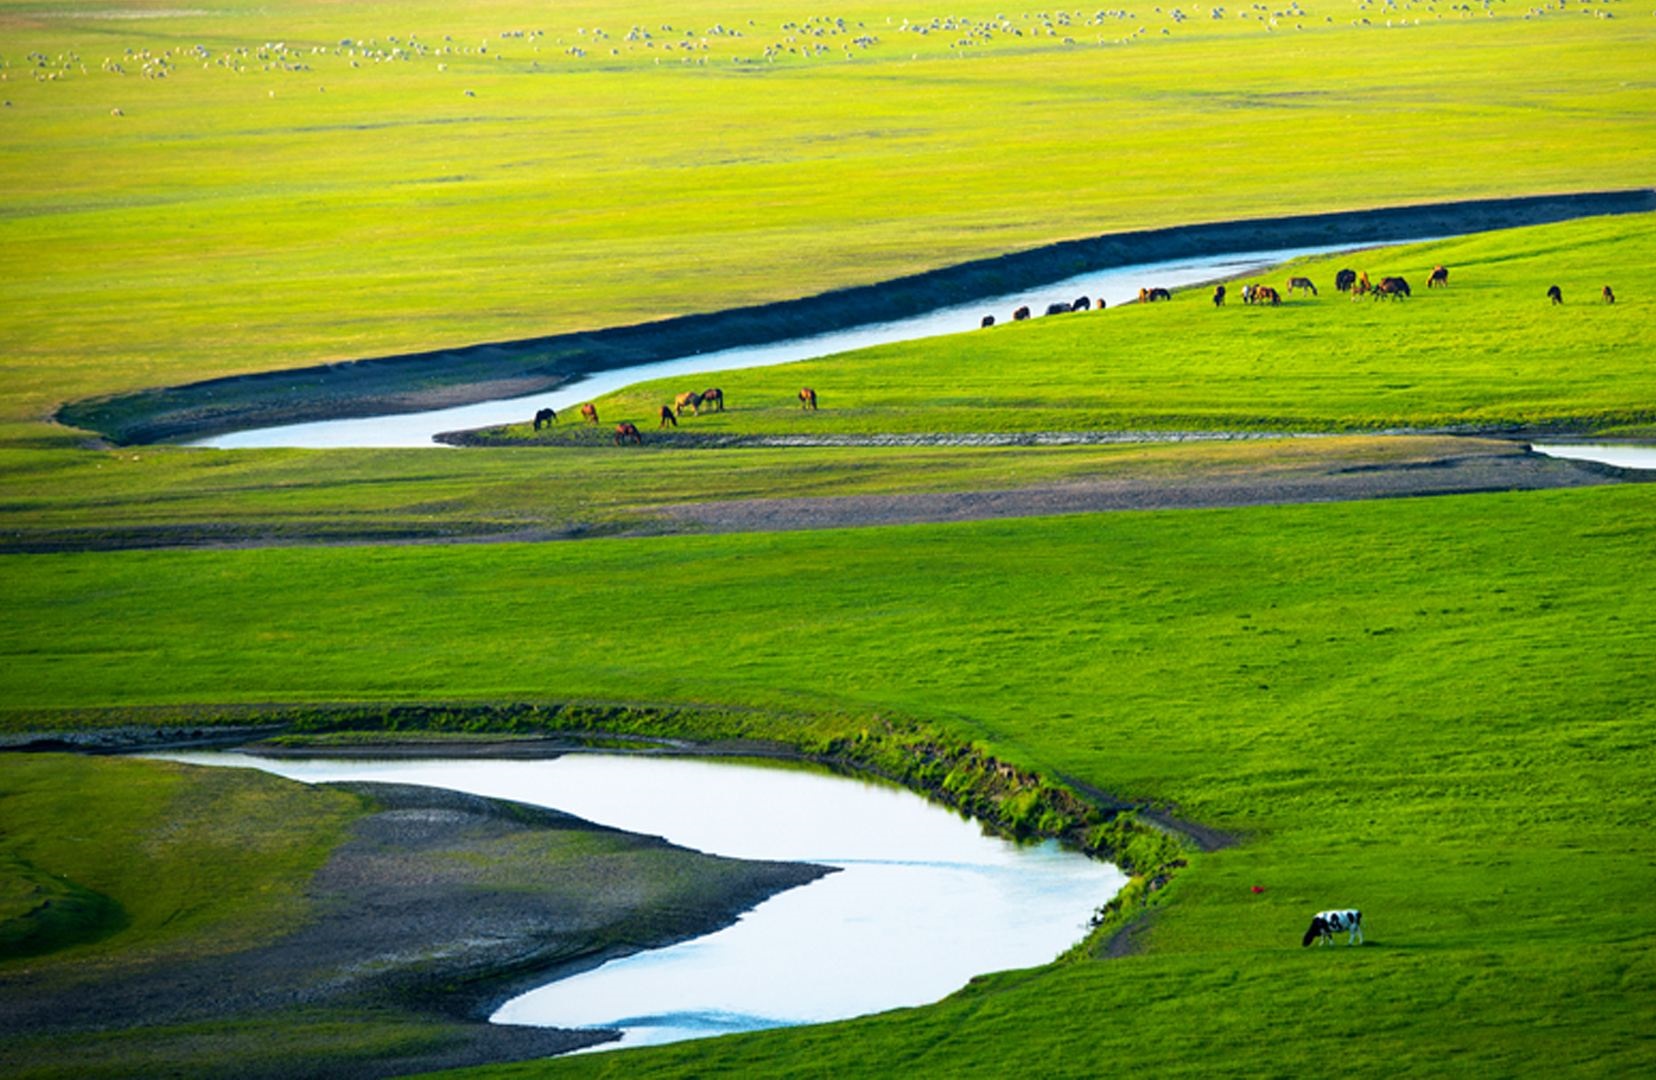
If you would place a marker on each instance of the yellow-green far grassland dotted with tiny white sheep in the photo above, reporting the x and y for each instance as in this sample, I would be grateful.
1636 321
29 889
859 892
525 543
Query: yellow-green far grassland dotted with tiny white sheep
269 211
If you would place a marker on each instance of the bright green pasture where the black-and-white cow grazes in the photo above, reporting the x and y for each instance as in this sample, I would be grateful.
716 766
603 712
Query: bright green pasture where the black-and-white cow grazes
1435 710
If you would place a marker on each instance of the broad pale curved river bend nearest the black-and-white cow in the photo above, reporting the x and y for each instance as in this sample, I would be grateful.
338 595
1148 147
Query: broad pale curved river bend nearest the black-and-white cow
923 902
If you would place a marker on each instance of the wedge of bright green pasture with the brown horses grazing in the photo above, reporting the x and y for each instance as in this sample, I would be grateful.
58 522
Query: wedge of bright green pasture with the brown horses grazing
1486 352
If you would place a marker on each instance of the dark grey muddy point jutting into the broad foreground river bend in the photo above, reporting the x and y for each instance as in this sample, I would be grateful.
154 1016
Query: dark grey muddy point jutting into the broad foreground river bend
438 907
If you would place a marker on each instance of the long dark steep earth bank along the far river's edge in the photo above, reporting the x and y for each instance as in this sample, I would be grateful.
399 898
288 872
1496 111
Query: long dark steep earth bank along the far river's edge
474 374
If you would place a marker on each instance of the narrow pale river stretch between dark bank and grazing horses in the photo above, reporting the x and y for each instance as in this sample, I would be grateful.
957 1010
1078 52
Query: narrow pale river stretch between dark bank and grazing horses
1117 286
